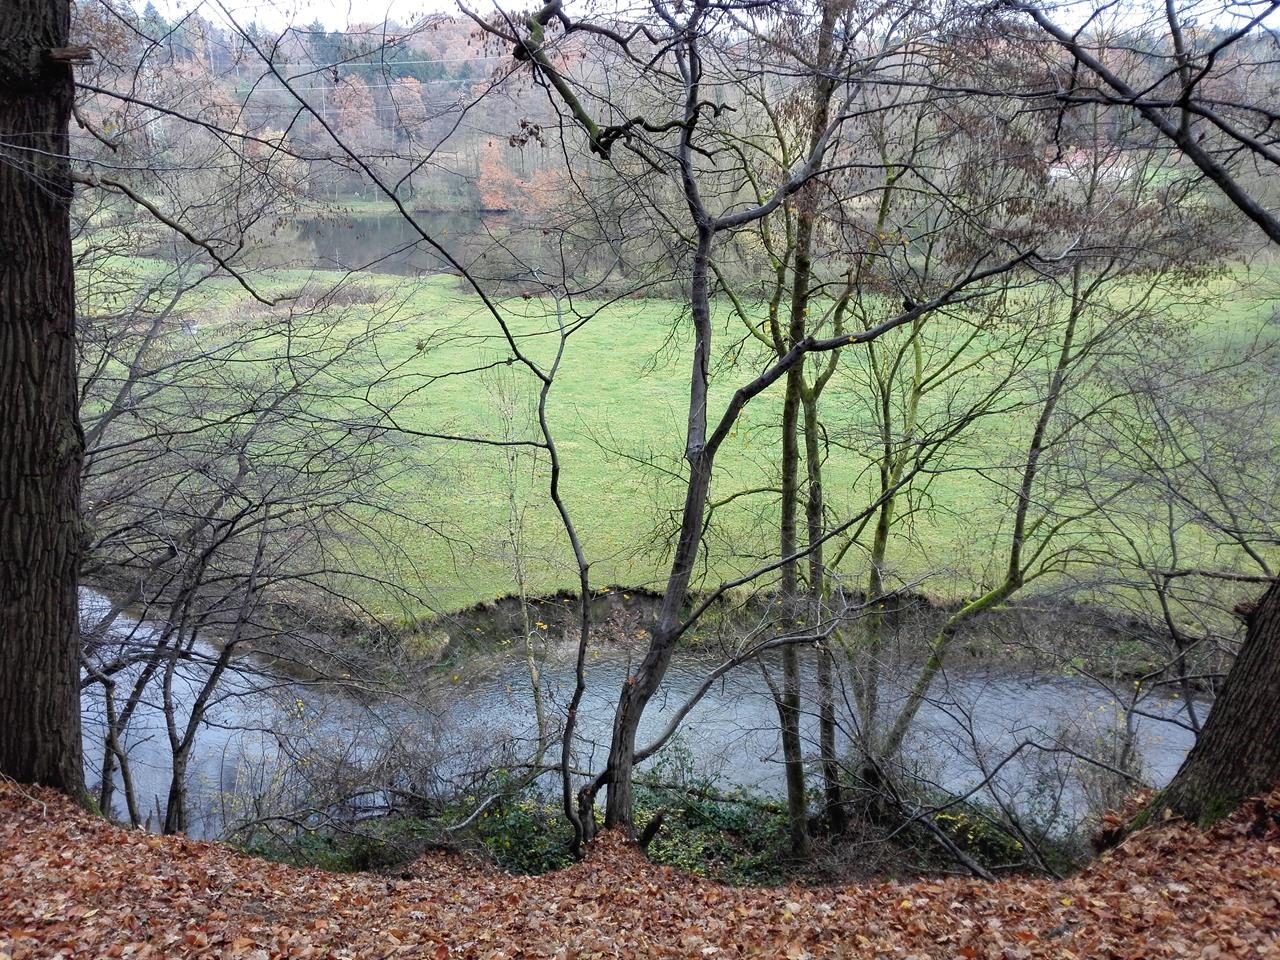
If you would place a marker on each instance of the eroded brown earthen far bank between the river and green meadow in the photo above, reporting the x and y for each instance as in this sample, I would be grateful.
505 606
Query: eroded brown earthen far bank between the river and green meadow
1035 634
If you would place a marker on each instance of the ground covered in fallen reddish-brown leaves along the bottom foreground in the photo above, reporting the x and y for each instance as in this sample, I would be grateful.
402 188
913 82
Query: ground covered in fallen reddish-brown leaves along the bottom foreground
75 886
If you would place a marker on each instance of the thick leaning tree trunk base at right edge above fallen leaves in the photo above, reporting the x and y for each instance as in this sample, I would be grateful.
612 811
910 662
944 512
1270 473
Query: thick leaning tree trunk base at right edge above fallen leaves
1238 753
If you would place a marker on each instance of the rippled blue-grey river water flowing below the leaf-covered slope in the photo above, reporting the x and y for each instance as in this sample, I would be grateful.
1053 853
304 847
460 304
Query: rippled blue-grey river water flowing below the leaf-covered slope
975 721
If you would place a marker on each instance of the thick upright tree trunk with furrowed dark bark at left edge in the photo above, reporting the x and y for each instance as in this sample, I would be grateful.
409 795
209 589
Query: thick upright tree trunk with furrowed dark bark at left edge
42 445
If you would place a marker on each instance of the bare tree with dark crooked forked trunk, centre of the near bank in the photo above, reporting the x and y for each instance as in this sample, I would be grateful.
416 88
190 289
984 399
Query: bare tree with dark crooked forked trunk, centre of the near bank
675 143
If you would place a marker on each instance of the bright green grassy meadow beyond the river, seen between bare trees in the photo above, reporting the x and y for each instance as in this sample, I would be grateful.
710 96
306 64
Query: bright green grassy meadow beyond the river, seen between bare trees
619 412
